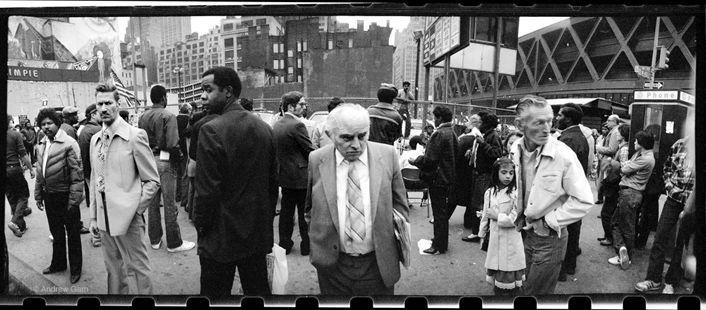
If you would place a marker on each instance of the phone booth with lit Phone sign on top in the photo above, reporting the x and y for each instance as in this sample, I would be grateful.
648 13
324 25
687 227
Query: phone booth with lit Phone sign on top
661 113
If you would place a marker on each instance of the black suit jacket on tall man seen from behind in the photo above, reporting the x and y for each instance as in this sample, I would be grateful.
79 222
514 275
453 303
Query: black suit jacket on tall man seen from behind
236 186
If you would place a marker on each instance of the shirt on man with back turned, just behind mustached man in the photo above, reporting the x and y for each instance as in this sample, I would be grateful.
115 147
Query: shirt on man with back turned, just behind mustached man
161 128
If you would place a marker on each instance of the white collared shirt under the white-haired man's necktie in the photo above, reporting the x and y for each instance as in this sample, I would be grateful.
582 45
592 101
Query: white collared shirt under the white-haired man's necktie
350 246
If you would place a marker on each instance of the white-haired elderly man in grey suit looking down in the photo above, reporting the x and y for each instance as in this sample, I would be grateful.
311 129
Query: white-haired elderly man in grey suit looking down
354 185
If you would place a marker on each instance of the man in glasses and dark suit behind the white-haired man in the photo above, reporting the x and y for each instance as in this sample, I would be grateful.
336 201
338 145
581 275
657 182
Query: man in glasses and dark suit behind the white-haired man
293 148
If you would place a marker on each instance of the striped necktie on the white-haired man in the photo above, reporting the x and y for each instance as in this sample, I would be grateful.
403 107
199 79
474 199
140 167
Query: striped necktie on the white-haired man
355 221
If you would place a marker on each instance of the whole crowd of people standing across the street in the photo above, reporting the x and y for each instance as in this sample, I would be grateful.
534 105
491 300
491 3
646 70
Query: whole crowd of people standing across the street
525 192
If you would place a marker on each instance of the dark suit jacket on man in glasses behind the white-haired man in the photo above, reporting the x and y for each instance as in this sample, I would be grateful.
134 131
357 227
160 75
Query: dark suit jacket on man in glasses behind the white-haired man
293 148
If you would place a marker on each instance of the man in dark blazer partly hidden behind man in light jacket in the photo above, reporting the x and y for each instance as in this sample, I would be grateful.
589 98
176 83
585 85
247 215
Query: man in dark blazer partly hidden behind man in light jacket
569 117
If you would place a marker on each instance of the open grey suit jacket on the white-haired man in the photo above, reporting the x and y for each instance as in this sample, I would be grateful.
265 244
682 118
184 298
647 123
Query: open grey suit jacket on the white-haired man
387 191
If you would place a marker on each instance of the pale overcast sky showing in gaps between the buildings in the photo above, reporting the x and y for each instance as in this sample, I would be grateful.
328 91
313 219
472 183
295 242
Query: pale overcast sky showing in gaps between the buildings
202 24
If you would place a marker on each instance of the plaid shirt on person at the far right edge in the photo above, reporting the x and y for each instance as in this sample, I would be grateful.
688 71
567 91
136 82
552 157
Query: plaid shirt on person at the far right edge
679 172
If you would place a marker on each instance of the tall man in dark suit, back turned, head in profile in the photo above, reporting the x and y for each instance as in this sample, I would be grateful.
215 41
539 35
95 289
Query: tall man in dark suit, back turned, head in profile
236 190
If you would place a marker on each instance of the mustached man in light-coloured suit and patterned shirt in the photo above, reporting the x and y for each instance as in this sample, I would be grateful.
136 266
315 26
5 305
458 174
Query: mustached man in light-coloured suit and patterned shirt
123 181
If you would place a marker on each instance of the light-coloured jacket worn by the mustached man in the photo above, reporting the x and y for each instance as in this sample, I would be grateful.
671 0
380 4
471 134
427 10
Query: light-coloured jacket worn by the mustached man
131 177
